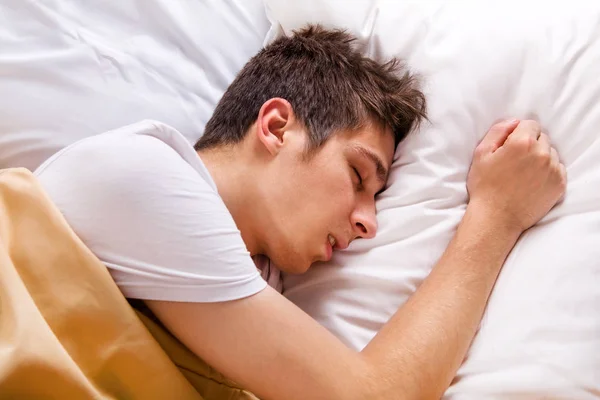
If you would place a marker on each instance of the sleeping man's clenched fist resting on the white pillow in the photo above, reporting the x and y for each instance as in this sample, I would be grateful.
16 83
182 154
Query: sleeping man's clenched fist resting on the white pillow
516 174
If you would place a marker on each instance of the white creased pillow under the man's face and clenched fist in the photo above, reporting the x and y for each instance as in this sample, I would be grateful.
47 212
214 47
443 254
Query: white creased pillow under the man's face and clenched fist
480 61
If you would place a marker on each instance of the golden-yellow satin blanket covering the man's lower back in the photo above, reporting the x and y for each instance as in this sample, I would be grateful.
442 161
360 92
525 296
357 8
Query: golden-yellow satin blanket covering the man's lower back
66 331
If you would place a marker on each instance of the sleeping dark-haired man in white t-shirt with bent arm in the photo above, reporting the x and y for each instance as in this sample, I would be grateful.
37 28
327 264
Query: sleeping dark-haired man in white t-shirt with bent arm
288 169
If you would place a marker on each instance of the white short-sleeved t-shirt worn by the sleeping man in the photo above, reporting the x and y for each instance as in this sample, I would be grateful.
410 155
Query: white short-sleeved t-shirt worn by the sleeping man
144 203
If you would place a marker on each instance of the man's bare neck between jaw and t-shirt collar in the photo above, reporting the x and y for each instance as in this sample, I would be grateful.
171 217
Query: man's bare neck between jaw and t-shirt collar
233 176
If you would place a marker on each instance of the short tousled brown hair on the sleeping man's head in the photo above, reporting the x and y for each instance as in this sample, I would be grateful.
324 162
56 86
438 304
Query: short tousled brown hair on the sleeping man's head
329 83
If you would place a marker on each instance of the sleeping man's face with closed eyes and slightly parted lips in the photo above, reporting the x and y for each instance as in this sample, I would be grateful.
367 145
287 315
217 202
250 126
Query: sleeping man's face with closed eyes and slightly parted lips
322 203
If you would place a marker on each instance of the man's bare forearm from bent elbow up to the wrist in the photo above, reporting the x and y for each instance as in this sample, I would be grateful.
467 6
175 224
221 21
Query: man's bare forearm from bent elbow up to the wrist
420 349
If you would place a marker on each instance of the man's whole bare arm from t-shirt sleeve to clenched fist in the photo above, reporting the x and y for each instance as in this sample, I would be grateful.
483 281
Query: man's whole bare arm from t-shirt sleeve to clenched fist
275 350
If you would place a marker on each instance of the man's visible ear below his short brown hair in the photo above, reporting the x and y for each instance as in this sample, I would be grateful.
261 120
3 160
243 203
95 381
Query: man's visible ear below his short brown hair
275 117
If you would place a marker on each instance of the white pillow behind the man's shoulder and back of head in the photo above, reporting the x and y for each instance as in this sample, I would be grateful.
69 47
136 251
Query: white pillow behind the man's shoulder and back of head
74 68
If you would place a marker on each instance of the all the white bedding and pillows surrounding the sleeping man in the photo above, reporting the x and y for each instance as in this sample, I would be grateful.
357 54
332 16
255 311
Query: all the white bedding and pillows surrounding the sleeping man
70 69
